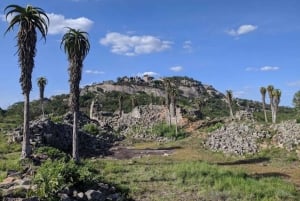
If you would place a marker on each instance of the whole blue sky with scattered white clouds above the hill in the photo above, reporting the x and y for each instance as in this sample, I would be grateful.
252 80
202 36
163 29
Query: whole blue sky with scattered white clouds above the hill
239 45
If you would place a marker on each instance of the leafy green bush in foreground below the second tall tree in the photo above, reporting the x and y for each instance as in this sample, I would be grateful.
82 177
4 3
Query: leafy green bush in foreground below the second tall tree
54 176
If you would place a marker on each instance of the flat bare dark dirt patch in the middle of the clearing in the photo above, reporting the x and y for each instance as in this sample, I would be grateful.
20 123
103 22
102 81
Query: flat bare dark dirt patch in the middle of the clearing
128 153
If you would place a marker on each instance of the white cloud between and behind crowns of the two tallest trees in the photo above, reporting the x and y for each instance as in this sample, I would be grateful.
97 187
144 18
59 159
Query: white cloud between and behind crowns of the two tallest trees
58 23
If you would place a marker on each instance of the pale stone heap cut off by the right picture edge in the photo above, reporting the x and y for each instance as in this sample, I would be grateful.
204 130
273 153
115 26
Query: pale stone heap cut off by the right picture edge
287 135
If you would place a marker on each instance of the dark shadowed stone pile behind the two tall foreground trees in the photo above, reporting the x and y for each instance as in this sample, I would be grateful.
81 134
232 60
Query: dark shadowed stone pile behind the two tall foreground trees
59 135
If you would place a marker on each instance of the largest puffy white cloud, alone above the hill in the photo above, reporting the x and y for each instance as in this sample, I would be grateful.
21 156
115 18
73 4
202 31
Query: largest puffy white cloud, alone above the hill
134 45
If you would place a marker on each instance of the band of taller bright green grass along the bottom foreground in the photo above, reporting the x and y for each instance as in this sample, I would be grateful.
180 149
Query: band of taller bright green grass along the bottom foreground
151 177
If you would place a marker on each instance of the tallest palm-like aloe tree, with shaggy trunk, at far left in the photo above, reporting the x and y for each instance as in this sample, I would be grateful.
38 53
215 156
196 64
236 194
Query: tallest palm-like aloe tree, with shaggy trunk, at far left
29 19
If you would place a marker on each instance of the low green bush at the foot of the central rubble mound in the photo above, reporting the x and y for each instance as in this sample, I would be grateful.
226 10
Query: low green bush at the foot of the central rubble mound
169 131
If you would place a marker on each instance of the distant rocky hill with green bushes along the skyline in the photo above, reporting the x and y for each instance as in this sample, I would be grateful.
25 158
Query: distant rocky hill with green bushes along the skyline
197 100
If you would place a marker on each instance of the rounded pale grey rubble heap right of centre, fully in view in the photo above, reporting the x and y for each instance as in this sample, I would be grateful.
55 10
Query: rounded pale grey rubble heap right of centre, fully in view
237 138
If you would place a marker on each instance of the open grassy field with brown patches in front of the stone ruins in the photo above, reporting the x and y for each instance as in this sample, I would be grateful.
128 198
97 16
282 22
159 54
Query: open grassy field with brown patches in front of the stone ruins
191 172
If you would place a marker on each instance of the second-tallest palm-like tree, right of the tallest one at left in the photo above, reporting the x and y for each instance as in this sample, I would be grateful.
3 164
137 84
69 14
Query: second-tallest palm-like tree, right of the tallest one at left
76 46
